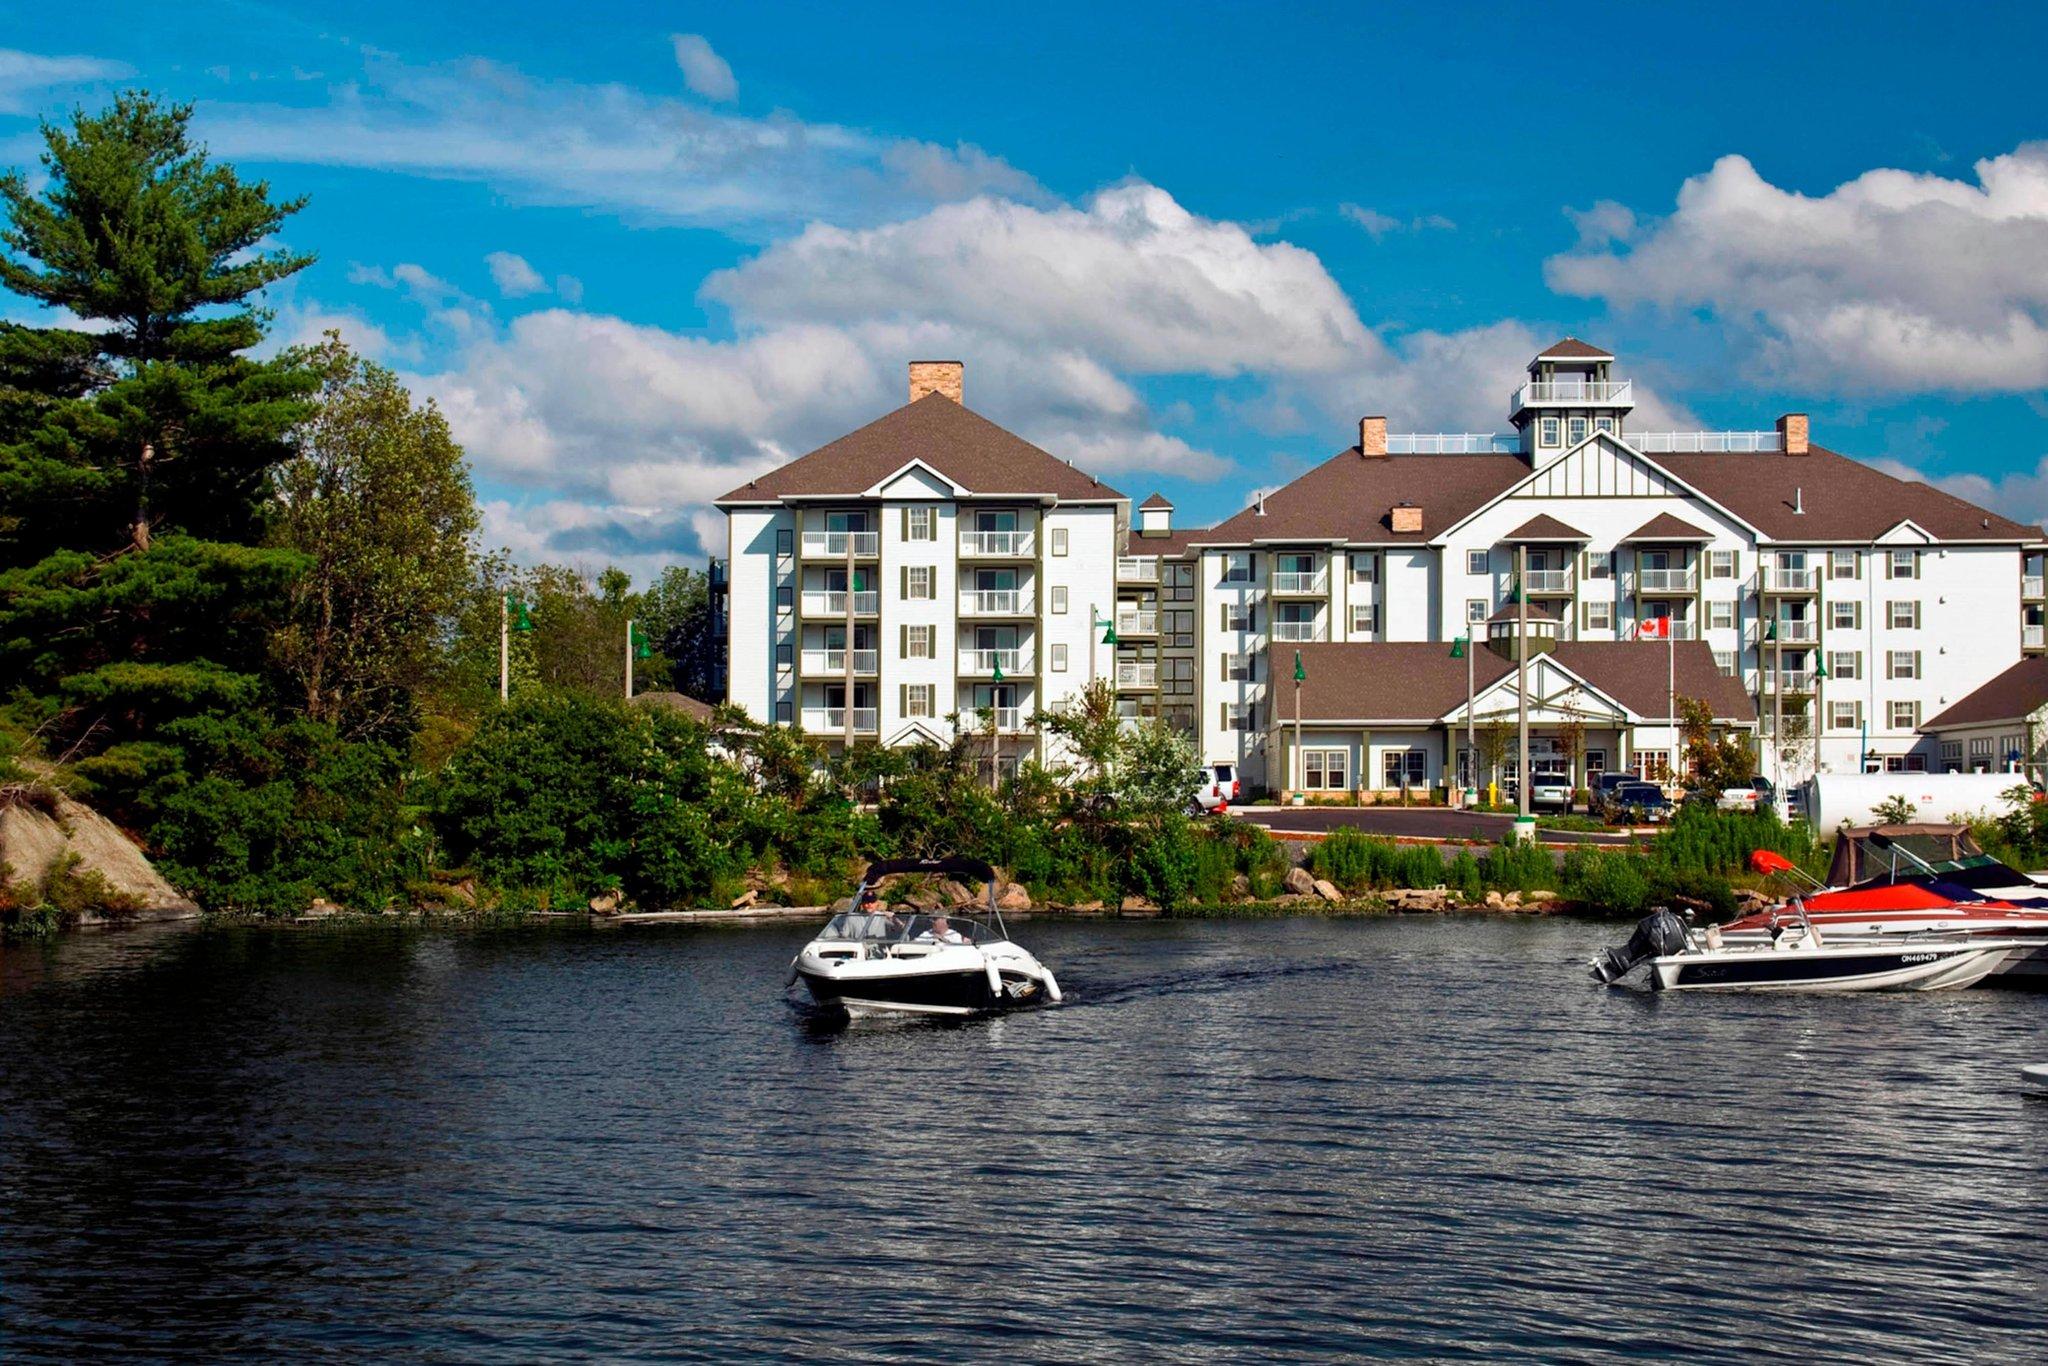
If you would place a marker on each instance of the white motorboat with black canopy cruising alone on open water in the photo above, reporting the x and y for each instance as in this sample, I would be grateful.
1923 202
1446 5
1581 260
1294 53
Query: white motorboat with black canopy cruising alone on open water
939 964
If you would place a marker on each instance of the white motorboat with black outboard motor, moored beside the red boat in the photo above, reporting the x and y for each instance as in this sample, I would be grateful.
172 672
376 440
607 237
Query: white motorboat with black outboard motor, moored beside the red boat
1682 959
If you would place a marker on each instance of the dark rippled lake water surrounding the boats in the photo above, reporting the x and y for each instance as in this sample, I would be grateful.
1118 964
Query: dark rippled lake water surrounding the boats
1422 1138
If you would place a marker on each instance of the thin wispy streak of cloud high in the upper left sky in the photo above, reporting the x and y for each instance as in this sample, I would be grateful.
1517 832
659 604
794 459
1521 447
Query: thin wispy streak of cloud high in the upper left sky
605 146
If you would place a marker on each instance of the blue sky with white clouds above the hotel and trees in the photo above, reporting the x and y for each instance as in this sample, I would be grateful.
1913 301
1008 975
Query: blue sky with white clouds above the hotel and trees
640 253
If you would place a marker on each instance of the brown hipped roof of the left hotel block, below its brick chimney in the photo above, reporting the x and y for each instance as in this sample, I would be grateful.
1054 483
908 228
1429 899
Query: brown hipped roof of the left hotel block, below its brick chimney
951 439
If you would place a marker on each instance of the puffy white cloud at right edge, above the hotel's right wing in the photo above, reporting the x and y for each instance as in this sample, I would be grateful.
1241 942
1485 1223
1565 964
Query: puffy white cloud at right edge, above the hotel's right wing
1893 282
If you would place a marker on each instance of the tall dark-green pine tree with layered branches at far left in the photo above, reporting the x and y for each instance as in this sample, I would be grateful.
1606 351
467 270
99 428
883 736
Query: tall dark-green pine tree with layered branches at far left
136 443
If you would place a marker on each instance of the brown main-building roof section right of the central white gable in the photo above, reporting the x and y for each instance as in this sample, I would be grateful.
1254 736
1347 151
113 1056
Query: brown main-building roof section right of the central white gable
1844 499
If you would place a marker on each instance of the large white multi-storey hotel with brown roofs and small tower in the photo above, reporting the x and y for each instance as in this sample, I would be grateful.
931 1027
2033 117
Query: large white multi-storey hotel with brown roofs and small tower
933 570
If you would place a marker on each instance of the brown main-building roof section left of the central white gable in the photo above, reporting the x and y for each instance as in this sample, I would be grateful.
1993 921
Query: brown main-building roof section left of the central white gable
1351 497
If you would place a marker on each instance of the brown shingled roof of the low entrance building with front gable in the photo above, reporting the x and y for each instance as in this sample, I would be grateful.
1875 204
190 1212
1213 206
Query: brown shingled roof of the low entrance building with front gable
1408 681
